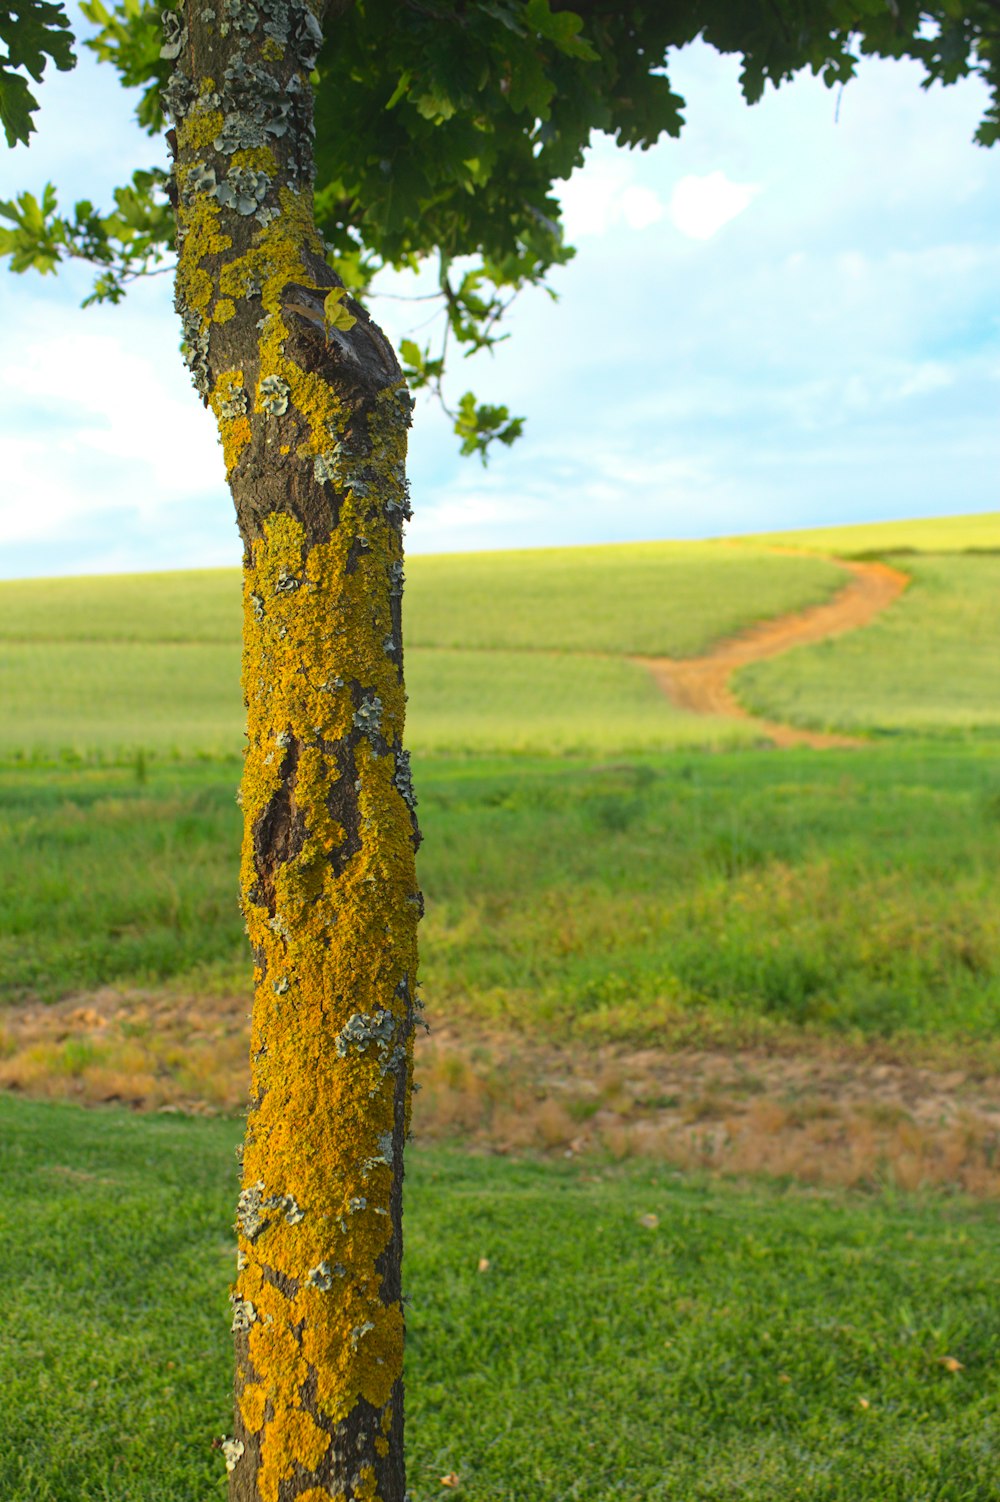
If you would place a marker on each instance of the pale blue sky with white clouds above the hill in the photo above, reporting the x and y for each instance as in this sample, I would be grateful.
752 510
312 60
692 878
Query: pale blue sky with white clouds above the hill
786 319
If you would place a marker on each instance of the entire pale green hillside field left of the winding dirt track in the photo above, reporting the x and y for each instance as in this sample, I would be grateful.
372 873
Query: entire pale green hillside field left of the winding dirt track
109 668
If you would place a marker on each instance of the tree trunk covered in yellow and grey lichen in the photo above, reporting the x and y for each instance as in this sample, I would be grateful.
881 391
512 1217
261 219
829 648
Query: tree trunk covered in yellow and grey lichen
313 417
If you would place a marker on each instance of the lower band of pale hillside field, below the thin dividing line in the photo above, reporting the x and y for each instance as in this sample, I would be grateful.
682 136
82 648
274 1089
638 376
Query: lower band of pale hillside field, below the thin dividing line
74 702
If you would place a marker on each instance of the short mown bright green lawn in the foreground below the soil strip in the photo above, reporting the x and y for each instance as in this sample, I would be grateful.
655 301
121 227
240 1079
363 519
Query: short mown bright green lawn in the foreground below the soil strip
639 1336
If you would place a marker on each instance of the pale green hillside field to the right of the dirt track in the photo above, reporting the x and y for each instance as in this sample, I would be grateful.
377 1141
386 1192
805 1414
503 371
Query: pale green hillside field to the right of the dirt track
929 666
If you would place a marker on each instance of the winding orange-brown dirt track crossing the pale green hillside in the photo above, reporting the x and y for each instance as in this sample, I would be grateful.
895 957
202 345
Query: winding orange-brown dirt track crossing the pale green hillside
702 686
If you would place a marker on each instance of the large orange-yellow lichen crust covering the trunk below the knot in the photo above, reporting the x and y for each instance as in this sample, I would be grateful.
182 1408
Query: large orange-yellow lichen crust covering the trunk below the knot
333 947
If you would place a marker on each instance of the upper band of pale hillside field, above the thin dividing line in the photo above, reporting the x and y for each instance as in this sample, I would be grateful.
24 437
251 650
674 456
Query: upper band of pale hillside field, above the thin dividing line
657 599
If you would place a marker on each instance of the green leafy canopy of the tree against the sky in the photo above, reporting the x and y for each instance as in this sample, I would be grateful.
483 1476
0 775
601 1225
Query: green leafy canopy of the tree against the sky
444 127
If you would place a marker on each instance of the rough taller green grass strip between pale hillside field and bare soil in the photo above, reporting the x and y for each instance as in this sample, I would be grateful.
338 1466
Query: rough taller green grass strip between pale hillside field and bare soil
733 894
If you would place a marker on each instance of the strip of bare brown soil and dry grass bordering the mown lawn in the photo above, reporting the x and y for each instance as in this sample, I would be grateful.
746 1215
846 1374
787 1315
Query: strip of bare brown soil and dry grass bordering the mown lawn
827 1115
